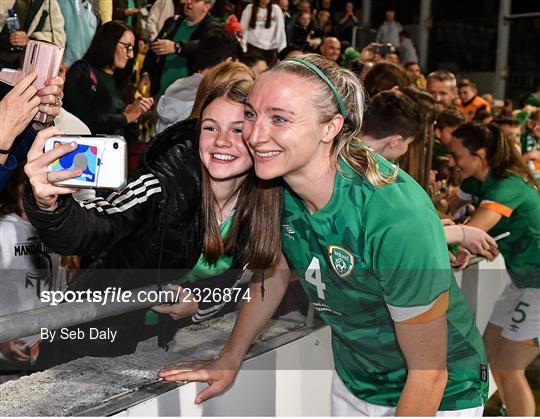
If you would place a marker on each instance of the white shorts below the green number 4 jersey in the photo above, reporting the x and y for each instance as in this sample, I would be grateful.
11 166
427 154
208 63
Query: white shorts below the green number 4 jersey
344 403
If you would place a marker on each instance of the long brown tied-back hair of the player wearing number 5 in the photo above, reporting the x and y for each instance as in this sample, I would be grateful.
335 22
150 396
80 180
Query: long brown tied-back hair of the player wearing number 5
502 157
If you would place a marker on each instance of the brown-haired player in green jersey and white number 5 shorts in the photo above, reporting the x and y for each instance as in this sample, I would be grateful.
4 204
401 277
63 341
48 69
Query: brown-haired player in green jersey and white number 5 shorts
509 202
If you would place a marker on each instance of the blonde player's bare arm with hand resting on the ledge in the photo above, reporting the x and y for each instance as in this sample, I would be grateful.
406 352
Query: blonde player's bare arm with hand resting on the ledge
253 316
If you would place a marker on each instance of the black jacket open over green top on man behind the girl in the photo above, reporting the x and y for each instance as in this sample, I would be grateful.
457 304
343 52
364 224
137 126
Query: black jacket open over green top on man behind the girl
153 64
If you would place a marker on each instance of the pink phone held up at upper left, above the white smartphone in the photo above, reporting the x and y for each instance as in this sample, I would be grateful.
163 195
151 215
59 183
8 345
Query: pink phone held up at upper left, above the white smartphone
45 60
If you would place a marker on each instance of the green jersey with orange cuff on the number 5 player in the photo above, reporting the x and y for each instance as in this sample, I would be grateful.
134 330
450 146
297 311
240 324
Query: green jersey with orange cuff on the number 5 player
519 204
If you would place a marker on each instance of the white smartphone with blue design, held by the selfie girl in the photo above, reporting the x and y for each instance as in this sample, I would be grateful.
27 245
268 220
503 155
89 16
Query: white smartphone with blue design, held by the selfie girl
103 159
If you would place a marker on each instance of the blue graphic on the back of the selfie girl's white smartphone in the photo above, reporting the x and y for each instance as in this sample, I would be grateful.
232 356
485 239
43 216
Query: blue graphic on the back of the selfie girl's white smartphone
84 157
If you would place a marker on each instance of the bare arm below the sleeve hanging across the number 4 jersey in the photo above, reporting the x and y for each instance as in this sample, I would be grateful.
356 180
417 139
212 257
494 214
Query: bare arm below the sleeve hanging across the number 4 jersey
424 346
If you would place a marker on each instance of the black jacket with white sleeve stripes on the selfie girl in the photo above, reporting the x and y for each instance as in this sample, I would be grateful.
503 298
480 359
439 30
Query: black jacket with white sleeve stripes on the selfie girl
150 232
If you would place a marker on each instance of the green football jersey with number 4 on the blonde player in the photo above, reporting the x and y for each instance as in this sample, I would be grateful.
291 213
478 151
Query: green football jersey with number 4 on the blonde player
373 256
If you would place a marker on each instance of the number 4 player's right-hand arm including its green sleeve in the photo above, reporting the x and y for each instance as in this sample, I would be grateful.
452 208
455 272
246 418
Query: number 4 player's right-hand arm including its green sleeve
415 277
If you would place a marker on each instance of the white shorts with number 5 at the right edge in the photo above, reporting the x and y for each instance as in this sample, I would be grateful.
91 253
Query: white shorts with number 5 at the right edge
517 311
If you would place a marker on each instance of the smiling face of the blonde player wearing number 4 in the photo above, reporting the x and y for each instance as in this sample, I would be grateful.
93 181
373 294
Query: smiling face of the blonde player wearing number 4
282 128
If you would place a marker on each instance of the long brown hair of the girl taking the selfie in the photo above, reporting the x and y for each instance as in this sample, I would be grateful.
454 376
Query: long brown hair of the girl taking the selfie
255 230
